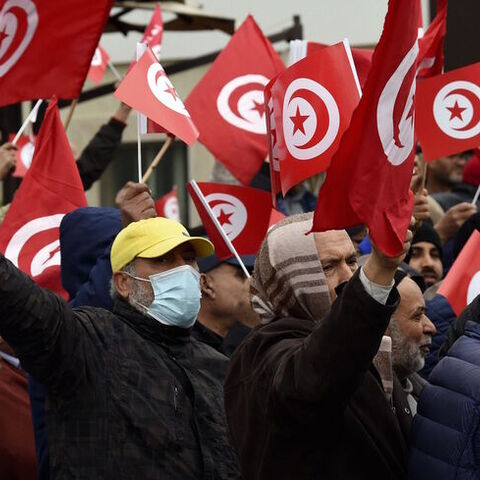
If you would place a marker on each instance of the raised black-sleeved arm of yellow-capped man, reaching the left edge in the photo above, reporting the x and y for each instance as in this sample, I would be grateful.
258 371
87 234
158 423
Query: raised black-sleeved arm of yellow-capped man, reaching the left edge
42 329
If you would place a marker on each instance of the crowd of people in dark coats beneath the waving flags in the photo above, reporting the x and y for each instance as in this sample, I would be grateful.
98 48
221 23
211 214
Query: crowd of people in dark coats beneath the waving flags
333 361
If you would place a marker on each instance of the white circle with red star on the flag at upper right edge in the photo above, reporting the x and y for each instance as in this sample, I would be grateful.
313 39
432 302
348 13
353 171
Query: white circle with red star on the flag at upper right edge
456 109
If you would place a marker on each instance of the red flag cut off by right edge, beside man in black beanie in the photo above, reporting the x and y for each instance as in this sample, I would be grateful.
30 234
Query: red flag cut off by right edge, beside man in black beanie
462 283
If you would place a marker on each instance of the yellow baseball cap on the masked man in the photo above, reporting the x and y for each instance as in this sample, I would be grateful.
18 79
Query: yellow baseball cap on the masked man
152 238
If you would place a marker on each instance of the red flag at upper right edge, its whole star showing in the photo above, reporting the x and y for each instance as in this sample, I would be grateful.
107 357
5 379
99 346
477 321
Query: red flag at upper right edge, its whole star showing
448 112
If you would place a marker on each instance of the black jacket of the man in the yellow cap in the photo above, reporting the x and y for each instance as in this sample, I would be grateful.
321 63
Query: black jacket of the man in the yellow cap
127 397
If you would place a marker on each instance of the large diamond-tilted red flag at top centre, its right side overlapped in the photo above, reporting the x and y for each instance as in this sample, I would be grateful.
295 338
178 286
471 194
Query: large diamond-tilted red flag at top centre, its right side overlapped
228 103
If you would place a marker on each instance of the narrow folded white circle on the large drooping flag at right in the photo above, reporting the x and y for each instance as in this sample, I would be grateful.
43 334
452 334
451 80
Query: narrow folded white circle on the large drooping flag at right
398 138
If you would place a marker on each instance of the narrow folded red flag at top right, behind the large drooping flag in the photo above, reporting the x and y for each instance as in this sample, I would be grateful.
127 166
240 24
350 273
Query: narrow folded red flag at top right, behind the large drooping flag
431 57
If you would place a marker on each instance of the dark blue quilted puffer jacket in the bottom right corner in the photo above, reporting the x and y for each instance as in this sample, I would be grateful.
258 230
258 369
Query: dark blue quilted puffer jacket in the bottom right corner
445 439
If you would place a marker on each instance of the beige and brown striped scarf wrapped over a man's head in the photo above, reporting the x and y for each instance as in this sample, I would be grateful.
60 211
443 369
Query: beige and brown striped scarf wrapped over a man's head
288 280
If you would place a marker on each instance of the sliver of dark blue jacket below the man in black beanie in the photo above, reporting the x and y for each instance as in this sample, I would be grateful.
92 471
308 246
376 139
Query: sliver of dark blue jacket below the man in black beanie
441 314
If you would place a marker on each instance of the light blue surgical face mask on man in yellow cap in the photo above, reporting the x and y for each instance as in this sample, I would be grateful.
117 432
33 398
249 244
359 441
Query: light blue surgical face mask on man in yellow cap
177 296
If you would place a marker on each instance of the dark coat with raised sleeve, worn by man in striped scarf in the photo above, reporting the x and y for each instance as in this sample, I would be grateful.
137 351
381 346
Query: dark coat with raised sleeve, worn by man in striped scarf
304 401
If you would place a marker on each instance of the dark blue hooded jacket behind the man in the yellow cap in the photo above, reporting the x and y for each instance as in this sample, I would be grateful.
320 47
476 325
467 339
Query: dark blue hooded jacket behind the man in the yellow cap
86 235
